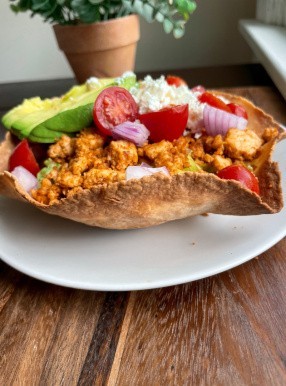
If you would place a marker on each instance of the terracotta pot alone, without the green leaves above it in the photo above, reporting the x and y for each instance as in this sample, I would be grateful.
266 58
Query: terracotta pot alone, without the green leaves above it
104 49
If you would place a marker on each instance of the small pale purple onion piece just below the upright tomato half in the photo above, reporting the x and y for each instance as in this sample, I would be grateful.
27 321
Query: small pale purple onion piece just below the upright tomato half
131 131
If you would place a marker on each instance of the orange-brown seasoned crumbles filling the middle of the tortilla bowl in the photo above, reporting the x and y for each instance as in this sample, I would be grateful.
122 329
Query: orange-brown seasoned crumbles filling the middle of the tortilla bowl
90 159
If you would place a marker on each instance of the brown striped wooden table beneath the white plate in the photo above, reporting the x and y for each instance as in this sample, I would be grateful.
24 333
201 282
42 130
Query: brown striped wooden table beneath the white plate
228 329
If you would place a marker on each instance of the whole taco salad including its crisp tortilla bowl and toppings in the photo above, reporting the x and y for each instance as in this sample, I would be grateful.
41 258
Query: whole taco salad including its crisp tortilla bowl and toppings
200 144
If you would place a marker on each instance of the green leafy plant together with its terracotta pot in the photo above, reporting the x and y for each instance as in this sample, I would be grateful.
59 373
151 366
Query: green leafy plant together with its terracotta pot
99 37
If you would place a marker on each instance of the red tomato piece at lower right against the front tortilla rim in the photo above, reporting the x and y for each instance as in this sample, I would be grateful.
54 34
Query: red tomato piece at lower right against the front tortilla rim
241 174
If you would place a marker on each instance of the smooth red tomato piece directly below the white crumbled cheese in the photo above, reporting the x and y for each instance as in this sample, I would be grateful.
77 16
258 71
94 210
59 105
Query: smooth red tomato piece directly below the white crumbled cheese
168 123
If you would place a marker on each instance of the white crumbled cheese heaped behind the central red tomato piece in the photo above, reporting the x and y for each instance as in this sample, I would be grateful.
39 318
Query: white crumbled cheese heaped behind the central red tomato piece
156 94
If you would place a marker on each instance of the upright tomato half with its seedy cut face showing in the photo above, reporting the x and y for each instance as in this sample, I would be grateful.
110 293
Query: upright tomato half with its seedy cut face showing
114 105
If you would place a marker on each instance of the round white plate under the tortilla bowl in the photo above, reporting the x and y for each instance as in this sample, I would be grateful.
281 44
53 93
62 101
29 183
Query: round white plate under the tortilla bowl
63 252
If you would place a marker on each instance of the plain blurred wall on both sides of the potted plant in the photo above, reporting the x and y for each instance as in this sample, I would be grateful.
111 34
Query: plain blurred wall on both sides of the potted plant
29 49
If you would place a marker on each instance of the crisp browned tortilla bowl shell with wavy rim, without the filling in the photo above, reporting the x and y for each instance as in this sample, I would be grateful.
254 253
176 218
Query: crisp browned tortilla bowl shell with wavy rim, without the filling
156 199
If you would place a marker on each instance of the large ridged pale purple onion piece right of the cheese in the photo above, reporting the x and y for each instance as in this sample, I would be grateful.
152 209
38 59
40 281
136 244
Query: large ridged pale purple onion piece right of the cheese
218 121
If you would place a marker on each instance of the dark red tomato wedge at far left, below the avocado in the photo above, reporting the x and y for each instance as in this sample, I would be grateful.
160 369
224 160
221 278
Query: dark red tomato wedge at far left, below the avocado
23 156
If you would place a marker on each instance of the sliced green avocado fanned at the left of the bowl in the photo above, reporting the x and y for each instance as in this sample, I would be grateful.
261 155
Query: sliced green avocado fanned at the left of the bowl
45 120
